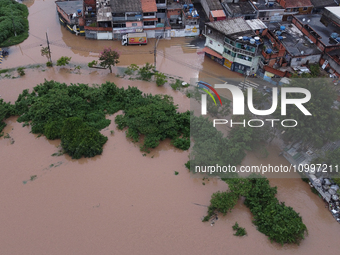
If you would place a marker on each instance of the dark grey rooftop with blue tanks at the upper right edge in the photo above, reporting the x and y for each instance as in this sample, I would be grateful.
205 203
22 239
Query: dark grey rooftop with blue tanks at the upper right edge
313 21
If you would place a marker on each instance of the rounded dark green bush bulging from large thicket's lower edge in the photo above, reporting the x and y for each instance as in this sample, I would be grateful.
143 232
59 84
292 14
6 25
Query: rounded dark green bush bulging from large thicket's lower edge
78 139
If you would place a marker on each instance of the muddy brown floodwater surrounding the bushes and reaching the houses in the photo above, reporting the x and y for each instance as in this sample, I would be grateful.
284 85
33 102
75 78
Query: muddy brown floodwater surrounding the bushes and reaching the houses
121 202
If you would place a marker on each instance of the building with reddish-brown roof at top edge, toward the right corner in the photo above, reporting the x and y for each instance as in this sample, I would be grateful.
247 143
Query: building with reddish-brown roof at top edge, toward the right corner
293 7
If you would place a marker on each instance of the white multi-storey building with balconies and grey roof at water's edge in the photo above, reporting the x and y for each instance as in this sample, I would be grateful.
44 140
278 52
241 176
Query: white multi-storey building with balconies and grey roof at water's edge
235 43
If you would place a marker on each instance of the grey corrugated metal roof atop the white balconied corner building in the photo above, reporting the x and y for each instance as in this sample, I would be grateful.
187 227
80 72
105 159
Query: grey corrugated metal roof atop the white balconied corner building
230 26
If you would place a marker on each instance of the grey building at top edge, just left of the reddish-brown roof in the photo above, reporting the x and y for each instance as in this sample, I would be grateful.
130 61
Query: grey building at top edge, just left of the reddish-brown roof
269 10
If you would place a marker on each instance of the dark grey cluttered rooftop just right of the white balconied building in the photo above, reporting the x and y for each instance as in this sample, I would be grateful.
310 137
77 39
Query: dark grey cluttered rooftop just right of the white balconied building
294 40
